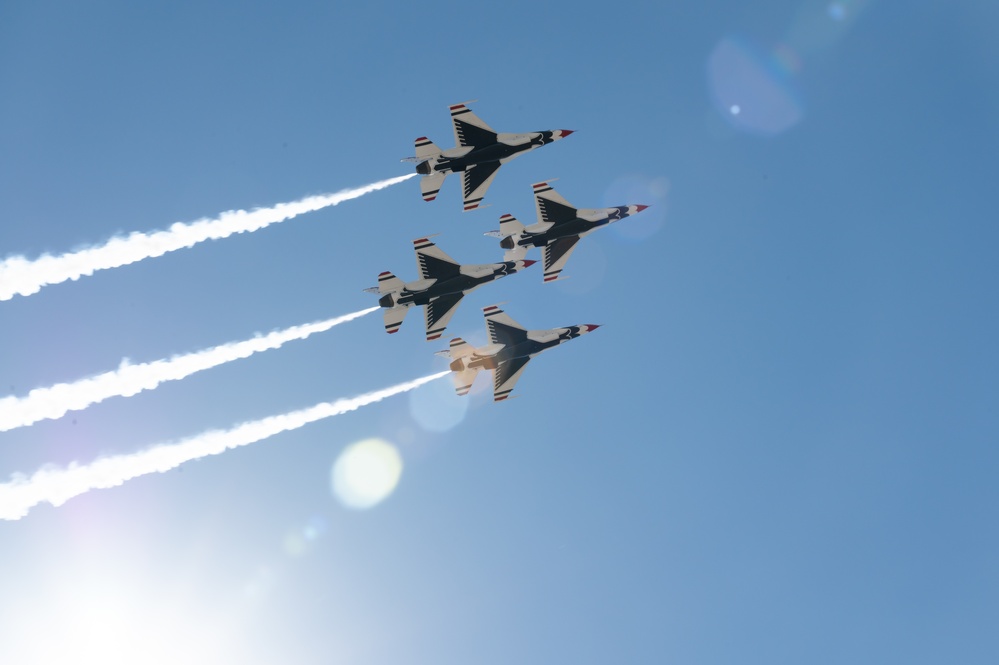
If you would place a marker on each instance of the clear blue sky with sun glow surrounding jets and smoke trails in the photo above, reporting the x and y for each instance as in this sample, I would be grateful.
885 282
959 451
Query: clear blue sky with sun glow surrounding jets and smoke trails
780 446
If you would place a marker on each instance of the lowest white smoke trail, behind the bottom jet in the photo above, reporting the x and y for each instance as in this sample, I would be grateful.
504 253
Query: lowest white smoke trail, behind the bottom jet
57 485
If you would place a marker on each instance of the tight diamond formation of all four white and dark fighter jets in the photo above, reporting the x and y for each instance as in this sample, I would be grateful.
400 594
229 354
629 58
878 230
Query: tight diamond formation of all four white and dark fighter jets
442 282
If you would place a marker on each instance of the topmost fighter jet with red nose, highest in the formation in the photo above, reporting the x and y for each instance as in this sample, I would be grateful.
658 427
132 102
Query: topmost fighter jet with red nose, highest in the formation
478 153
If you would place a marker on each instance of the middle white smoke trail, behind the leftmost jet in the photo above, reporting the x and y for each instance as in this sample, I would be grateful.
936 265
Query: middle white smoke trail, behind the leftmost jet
55 401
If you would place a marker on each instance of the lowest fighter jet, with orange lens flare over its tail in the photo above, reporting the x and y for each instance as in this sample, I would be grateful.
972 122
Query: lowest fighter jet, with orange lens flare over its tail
507 354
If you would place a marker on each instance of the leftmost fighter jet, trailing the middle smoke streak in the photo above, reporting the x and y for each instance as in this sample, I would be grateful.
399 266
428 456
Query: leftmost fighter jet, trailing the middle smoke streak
442 284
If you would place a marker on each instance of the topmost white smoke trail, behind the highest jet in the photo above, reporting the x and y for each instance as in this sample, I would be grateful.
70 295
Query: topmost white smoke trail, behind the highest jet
22 276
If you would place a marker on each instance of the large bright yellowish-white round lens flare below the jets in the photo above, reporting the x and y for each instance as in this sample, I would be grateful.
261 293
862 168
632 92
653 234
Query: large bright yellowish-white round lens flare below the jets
366 473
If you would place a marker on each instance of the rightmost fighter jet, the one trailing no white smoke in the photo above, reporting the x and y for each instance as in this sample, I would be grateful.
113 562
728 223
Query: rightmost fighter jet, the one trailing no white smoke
559 228
